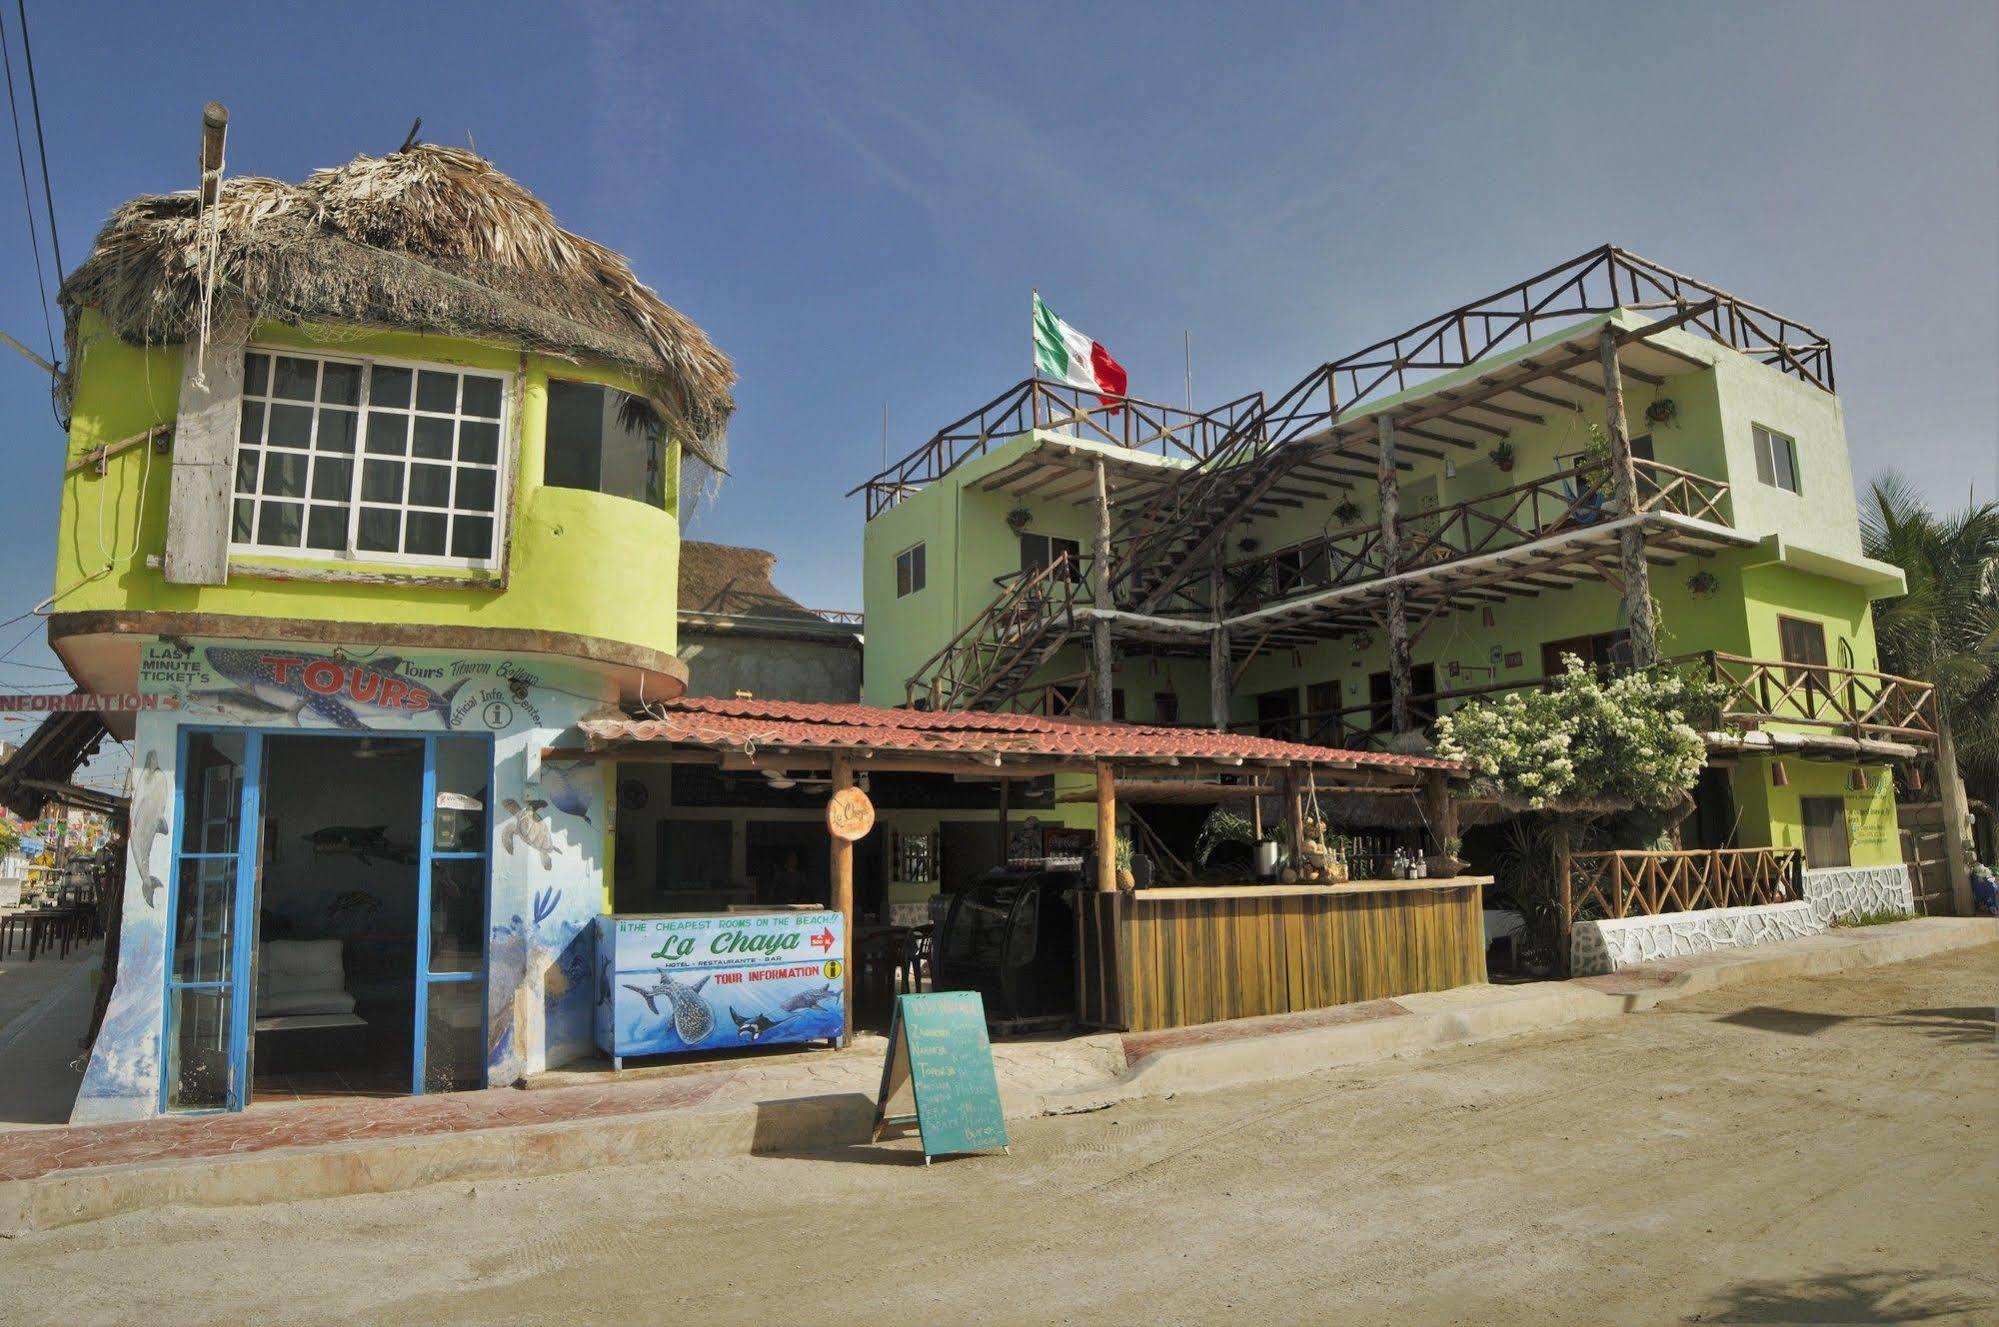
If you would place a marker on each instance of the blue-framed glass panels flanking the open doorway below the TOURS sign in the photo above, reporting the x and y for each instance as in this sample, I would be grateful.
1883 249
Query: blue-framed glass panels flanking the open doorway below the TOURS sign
213 912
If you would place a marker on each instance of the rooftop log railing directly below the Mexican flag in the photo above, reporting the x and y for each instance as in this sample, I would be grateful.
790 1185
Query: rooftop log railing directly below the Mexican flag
1118 421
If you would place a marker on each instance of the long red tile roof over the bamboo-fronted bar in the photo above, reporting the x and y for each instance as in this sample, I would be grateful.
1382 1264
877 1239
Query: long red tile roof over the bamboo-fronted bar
735 724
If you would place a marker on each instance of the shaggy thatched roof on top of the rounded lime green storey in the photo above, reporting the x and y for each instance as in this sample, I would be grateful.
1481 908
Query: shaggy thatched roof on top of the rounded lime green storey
421 241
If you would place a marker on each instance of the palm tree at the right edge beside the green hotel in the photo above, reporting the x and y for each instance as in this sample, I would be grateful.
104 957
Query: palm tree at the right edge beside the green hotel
1944 633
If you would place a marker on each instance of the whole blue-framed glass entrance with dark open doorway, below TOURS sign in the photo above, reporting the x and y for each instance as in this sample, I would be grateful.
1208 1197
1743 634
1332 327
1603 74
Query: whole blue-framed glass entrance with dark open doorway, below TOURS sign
265 858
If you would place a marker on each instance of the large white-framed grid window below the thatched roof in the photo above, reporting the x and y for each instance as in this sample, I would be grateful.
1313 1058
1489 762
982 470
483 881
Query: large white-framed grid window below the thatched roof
377 461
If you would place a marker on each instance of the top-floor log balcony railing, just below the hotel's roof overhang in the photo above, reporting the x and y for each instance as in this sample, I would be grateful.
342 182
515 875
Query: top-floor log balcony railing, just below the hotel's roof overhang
1514 517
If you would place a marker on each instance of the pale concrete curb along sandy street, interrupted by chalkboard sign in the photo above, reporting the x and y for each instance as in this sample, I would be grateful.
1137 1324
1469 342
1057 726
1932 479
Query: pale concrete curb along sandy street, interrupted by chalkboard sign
841 1120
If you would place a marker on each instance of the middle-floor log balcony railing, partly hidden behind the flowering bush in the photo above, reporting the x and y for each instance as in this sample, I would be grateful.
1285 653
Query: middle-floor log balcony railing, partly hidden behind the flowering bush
1844 702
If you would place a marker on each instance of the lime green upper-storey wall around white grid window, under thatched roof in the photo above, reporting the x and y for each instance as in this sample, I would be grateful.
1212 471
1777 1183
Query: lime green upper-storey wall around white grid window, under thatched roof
581 563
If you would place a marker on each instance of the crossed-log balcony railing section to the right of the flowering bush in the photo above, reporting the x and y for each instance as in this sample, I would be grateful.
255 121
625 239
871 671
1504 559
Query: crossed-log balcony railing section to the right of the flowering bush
1846 700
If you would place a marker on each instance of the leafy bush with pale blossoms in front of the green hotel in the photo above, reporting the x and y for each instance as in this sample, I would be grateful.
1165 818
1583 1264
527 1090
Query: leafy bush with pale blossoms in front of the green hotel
1586 742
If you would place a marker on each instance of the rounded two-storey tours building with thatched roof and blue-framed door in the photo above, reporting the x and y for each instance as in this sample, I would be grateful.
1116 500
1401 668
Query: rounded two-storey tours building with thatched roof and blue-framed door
373 491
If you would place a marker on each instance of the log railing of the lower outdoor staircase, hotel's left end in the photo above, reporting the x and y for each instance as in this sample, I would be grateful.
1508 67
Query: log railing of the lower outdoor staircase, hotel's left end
1032 613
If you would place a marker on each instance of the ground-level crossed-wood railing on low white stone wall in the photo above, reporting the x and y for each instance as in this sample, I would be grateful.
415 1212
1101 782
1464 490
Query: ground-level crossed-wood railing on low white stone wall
1644 884
